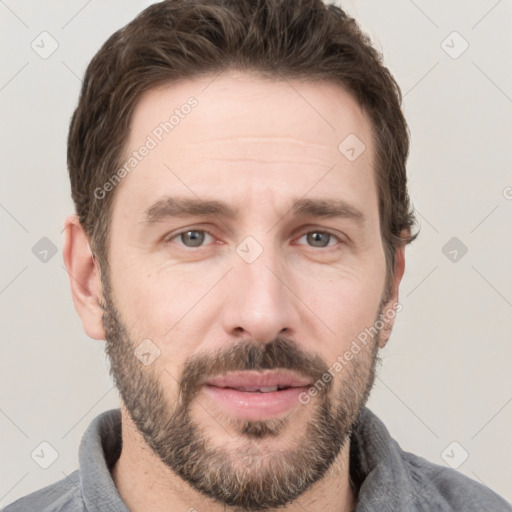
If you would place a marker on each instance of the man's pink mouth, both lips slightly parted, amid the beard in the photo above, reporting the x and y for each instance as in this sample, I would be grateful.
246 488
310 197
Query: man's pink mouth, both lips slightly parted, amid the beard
256 396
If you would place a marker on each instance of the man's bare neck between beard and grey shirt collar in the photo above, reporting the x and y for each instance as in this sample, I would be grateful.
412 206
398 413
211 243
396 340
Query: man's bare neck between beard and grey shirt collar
144 482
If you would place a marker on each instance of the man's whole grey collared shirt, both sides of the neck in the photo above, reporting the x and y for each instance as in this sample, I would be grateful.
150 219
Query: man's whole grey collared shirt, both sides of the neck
389 479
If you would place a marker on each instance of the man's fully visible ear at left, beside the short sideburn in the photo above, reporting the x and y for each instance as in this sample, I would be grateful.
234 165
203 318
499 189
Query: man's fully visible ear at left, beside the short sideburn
84 277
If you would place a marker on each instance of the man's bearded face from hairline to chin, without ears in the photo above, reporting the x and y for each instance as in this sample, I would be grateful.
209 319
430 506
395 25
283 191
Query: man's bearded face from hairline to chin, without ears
270 293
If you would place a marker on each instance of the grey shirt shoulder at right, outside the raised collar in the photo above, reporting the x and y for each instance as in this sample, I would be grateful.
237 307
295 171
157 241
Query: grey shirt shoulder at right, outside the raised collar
433 482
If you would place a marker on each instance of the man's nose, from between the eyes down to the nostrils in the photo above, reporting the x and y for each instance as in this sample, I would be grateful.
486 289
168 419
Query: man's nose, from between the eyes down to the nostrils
260 303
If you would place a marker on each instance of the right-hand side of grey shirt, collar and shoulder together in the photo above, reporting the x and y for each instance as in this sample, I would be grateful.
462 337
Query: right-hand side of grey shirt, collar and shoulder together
394 479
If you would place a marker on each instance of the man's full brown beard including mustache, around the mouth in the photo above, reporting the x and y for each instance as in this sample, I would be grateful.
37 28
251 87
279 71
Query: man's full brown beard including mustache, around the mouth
243 473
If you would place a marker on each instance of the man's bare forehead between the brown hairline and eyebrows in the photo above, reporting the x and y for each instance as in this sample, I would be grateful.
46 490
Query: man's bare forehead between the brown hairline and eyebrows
239 132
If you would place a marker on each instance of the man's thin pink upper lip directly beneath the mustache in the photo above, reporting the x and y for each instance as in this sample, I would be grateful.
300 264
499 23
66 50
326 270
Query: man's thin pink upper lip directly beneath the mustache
253 379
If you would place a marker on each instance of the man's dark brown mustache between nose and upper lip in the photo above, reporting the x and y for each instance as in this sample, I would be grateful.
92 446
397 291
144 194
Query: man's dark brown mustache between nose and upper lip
280 353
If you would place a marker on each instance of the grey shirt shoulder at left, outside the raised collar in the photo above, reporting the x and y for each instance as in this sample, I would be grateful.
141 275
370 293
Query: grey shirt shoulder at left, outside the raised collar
64 495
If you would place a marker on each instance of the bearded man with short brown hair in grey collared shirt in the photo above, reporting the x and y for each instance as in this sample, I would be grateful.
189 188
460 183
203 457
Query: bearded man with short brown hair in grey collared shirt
238 172
